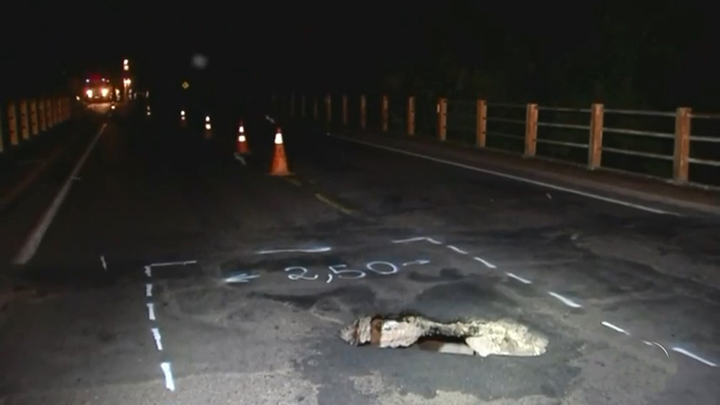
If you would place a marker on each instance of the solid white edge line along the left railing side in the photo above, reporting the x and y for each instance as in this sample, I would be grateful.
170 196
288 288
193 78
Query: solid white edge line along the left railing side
32 243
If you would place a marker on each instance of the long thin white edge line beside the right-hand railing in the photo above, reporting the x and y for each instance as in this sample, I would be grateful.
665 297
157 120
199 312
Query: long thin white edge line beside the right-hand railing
516 178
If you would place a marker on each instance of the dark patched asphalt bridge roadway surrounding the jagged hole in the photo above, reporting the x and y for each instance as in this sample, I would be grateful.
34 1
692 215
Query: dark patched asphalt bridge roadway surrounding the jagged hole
173 273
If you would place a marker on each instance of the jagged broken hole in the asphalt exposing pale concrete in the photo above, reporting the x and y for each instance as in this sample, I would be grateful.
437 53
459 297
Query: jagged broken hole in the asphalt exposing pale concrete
473 337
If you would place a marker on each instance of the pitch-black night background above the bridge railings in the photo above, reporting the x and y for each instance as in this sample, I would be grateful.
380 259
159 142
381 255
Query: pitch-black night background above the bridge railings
656 55
